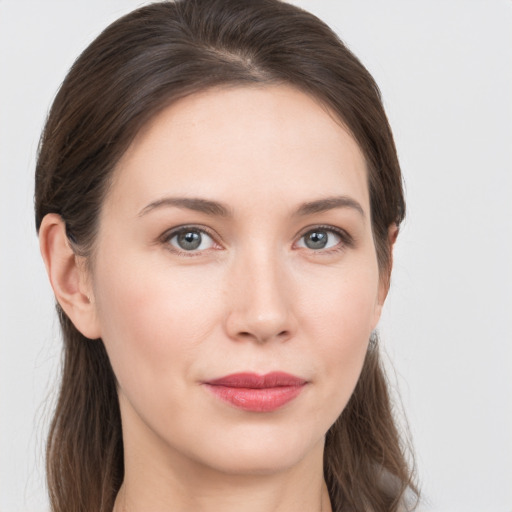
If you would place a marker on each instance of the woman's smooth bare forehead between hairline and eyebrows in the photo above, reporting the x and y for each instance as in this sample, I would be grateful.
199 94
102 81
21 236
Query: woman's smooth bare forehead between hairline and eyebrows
243 143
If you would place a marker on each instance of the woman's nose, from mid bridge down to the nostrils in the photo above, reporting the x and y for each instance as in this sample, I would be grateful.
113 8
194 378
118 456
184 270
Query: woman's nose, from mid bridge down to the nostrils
260 300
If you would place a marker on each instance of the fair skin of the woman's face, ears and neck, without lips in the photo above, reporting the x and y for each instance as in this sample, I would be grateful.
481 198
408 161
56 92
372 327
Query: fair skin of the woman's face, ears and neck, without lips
253 298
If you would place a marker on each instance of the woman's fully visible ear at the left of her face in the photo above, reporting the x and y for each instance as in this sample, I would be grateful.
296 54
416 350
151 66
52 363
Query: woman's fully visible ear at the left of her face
68 276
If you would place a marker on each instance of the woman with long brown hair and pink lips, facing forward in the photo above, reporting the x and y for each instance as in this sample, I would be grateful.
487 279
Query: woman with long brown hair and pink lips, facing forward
217 198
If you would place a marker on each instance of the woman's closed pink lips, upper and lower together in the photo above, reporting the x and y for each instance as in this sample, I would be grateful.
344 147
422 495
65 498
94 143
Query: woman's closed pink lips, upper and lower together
257 393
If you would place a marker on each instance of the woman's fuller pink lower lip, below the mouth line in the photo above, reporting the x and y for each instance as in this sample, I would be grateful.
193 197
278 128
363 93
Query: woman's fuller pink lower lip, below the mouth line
256 400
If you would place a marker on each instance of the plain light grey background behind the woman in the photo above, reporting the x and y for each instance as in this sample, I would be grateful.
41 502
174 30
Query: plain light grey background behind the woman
445 70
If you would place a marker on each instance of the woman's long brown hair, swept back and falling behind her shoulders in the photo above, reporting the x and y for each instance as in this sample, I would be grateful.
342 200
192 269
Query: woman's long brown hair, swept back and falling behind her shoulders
137 66
